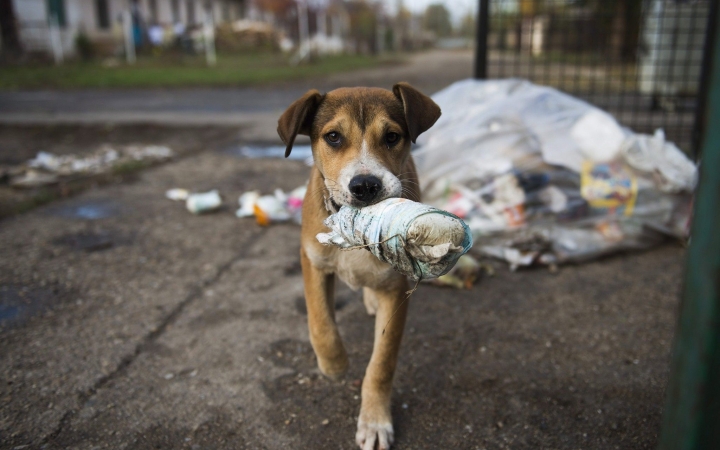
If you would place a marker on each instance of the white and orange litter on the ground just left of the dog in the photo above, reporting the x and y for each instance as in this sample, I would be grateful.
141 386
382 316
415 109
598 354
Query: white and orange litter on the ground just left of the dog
267 209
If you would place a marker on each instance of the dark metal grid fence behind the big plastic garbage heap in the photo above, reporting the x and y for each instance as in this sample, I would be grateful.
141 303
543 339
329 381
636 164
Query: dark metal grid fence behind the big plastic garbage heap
641 60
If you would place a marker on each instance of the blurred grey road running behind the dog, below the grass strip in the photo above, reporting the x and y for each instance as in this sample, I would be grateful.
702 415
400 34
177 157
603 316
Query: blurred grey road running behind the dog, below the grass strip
255 109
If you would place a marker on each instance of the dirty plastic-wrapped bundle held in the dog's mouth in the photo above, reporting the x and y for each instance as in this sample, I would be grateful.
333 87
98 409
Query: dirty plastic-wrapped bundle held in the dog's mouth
418 240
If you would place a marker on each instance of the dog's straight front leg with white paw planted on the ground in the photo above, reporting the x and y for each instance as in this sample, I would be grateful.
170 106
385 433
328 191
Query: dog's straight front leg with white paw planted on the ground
375 421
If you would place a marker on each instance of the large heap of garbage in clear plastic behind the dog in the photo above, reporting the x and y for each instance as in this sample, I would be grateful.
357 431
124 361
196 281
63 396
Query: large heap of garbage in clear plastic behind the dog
542 177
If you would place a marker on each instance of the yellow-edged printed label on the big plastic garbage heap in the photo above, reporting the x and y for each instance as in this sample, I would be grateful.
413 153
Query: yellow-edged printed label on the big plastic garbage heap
610 186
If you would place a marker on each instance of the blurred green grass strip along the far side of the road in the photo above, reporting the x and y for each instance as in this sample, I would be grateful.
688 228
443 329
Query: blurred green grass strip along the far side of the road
177 71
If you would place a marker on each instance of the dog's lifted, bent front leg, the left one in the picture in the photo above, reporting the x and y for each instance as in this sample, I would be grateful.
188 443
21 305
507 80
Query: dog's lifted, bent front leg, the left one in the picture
324 336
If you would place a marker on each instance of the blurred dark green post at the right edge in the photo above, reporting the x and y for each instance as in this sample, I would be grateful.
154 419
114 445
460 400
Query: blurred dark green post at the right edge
692 409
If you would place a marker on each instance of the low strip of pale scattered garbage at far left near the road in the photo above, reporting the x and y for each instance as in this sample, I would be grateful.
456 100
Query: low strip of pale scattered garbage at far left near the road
48 168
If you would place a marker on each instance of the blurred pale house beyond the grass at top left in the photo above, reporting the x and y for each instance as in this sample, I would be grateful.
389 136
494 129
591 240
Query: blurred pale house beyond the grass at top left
100 20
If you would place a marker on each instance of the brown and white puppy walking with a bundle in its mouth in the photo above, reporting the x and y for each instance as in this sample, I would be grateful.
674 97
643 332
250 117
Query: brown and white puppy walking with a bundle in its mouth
361 140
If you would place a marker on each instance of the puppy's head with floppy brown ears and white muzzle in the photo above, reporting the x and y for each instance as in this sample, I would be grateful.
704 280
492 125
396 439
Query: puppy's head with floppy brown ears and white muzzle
360 138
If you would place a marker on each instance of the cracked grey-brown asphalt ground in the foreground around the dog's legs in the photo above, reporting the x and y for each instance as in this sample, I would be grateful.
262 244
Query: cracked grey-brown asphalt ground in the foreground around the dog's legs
129 323
